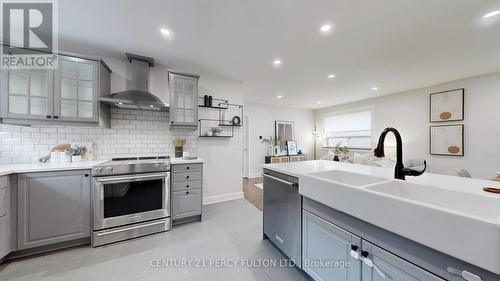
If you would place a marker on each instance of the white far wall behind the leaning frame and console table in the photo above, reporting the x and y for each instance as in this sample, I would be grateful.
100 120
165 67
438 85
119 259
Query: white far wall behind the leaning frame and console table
261 123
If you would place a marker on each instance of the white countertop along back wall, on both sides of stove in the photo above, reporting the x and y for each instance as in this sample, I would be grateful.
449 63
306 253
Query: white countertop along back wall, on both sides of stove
50 167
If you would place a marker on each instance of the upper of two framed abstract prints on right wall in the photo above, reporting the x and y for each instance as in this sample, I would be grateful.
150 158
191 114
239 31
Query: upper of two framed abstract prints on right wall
447 106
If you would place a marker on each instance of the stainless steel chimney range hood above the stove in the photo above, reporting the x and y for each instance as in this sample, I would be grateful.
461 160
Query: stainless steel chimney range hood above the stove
137 95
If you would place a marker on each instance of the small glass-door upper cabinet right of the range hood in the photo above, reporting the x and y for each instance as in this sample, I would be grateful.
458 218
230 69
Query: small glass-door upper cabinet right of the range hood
183 100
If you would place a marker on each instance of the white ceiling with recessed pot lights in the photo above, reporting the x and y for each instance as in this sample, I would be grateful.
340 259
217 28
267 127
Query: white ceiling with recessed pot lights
396 45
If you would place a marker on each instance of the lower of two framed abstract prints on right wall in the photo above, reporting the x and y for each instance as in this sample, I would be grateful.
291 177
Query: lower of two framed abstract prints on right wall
447 140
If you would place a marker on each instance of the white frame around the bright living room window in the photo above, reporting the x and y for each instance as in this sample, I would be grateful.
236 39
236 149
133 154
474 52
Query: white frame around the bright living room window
349 134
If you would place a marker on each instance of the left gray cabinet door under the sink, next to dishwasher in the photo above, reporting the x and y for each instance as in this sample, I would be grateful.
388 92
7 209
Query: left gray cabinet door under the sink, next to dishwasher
323 241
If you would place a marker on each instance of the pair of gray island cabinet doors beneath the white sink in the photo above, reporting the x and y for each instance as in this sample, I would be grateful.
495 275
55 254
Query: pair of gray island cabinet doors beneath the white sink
349 257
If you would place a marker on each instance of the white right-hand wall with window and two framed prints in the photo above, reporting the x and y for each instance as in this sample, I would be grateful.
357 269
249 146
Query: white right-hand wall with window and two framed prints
409 113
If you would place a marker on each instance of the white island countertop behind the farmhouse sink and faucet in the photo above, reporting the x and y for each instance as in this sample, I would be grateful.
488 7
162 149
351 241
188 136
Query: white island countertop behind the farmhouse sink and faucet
469 185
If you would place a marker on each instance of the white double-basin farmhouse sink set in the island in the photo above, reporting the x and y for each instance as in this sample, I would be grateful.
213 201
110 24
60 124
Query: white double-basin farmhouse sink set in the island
461 224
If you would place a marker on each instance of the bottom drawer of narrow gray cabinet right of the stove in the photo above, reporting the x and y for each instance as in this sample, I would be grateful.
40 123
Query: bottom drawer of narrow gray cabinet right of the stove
186 203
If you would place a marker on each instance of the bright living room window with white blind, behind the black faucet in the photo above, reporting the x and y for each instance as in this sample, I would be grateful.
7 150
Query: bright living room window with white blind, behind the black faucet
353 129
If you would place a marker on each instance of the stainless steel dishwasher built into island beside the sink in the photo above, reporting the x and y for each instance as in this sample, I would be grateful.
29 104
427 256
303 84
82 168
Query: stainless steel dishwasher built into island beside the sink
282 209
